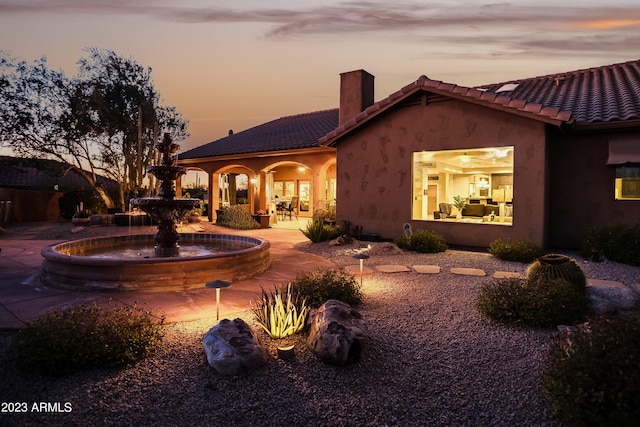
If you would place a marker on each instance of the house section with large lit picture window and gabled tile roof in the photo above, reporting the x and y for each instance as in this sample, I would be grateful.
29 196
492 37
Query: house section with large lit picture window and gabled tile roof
539 159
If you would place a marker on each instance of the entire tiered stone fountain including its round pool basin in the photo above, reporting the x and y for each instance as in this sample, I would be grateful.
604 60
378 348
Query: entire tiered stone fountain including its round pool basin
179 261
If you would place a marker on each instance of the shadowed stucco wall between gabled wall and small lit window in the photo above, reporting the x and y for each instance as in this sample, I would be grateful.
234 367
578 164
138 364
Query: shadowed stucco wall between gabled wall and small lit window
582 191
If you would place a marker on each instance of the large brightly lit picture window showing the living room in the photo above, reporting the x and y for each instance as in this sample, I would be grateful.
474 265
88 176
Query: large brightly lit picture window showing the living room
473 185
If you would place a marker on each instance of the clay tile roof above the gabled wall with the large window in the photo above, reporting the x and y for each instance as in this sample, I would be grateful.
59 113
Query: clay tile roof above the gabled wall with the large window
604 94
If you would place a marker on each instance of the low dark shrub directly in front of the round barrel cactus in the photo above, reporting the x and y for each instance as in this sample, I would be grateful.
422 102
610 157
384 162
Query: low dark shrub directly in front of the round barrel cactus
544 303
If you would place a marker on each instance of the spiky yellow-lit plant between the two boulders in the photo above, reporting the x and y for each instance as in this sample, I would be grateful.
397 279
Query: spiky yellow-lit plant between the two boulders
280 318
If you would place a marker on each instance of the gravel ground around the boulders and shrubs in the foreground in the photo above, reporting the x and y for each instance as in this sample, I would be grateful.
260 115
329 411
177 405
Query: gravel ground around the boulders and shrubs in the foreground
430 359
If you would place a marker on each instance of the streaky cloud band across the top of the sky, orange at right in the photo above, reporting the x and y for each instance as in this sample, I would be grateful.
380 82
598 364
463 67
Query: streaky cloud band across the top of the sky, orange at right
502 27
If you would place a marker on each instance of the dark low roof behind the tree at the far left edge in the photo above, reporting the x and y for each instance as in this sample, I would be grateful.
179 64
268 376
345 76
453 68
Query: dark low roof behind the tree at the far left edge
42 175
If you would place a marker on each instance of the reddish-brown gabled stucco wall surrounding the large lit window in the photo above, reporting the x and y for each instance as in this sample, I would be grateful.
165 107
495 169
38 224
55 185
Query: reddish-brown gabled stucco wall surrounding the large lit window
374 169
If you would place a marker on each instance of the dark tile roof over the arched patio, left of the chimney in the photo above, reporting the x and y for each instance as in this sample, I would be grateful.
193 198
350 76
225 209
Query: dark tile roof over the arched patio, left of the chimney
286 133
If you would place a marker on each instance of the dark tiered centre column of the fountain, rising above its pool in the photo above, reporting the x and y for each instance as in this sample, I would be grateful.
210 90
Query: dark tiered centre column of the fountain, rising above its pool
165 209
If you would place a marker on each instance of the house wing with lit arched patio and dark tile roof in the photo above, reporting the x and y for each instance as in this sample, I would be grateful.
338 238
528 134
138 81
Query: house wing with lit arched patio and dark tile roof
275 161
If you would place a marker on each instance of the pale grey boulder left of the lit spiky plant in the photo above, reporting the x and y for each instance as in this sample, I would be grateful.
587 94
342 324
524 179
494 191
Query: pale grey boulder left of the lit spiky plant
232 348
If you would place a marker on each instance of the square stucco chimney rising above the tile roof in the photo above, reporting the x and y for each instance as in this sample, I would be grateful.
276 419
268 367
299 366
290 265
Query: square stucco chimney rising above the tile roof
356 93
